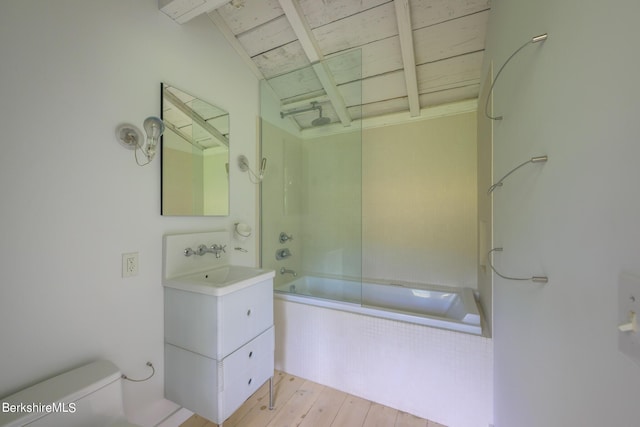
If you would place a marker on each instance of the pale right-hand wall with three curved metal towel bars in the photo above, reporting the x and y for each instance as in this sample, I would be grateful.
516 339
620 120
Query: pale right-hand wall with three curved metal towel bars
575 98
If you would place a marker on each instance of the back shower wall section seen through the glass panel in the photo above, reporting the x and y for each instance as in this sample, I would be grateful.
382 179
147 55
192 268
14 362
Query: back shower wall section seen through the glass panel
332 204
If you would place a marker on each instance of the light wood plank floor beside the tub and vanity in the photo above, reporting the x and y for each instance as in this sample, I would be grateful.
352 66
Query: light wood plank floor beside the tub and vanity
299 402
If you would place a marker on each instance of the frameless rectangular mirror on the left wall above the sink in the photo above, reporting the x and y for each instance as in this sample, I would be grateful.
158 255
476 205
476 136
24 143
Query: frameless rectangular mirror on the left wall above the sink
195 156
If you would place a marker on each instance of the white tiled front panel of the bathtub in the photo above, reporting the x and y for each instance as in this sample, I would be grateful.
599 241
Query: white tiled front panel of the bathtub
440 375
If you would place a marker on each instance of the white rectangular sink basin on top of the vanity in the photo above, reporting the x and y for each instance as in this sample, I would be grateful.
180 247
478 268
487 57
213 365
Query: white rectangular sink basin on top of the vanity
220 280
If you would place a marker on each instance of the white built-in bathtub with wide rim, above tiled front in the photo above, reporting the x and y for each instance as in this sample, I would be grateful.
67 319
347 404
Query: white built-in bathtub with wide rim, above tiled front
449 308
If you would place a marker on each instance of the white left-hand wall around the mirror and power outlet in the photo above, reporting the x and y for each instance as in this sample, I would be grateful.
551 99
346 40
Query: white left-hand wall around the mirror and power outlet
73 200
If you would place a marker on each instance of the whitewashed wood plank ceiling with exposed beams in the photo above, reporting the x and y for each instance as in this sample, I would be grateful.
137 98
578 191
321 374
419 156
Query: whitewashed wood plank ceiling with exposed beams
414 54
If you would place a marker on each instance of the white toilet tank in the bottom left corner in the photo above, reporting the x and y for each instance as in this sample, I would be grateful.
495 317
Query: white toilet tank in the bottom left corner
89 396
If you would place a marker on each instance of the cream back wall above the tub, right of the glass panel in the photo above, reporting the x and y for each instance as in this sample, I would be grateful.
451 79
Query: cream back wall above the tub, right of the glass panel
419 201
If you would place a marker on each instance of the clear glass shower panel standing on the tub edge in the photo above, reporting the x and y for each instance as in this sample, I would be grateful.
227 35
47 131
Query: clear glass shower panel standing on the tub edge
311 195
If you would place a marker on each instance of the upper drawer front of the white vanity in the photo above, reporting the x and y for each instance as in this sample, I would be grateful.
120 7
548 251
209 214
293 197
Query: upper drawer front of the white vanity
244 315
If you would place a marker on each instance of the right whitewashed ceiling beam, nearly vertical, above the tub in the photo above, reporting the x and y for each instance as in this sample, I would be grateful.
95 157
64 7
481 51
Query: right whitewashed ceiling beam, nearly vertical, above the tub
403 16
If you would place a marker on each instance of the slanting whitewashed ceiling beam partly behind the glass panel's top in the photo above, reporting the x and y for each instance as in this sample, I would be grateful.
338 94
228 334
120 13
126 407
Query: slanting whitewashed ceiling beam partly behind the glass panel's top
311 49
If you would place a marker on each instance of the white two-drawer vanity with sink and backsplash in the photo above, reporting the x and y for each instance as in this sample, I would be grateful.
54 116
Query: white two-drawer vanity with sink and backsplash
219 334
